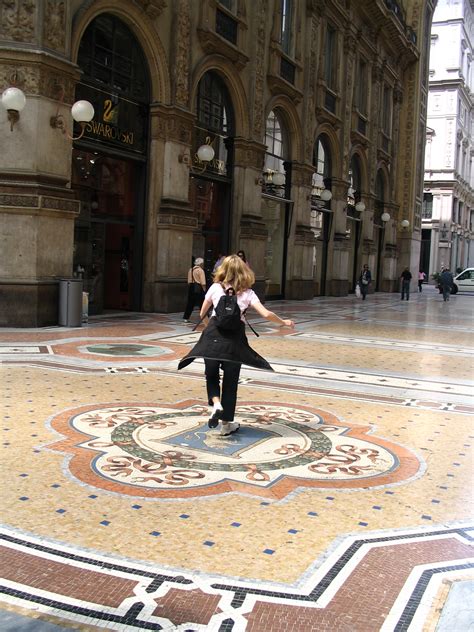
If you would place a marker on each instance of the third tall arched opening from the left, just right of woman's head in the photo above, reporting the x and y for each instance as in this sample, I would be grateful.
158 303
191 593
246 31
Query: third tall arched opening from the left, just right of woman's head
276 204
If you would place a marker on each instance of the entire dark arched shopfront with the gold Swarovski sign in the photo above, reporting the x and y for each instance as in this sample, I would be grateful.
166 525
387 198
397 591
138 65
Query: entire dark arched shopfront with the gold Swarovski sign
109 166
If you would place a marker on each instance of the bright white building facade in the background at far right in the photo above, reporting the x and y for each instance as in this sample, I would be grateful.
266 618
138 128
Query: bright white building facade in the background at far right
448 209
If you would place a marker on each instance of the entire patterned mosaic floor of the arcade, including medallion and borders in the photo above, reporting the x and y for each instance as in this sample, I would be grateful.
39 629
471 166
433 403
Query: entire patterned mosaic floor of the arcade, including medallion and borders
344 503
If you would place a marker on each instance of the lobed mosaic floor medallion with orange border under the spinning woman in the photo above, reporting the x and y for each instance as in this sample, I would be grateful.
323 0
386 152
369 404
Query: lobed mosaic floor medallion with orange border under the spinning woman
167 451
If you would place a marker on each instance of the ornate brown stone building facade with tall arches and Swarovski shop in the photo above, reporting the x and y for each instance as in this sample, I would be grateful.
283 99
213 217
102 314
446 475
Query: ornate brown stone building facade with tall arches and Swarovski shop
315 110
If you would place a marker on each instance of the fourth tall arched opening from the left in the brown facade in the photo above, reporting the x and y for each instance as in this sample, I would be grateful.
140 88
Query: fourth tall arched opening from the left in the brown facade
321 213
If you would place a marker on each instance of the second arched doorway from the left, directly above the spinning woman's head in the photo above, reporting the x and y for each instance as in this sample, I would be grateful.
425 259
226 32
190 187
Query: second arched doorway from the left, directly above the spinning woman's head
211 184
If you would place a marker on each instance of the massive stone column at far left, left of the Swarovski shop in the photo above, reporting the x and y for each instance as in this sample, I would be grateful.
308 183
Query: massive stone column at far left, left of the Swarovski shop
37 207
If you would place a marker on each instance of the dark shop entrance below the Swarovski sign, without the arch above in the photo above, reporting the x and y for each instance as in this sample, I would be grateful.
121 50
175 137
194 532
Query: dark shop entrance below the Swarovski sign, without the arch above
109 231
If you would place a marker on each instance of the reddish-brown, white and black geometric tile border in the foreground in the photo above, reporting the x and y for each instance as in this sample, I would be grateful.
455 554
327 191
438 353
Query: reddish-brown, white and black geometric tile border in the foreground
87 588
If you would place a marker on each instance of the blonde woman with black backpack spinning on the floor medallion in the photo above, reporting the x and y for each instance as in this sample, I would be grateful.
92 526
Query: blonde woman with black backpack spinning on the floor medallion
228 348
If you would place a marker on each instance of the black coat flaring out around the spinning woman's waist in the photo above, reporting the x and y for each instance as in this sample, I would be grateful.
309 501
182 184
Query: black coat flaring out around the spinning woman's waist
230 346
